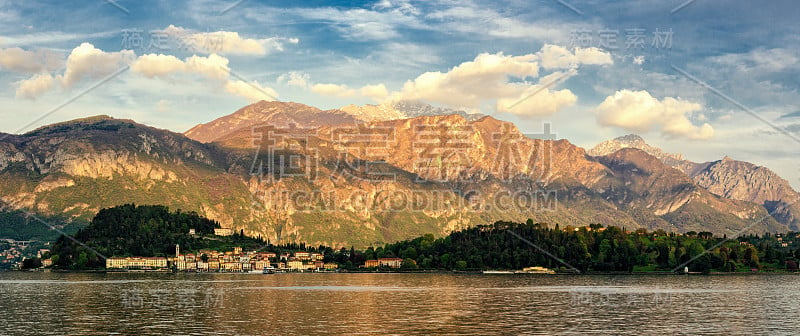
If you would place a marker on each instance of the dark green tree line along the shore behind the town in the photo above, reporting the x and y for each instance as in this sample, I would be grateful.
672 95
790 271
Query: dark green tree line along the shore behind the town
154 231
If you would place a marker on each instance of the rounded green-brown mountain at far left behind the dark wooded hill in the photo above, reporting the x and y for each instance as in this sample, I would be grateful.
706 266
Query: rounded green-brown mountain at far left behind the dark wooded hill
73 169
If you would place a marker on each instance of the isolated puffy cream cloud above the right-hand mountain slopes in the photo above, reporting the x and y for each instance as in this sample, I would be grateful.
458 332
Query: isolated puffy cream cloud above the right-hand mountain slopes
638 111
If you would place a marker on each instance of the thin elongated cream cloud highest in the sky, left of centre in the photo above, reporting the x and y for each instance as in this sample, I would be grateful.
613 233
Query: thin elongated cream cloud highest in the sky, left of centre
224 42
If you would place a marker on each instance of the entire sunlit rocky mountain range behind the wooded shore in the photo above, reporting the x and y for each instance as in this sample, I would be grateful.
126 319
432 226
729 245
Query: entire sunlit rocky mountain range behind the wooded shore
362 175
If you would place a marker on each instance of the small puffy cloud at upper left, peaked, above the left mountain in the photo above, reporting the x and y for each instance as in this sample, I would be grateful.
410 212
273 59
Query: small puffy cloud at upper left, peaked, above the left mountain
86 61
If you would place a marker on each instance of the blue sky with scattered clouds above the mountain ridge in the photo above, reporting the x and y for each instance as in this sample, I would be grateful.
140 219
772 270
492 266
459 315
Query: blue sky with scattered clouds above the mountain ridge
702 78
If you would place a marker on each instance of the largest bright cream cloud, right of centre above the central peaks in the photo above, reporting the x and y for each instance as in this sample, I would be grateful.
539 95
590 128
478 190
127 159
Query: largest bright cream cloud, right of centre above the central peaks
504 81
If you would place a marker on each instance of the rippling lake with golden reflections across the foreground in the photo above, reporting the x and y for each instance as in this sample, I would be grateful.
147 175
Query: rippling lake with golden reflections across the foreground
381 304
